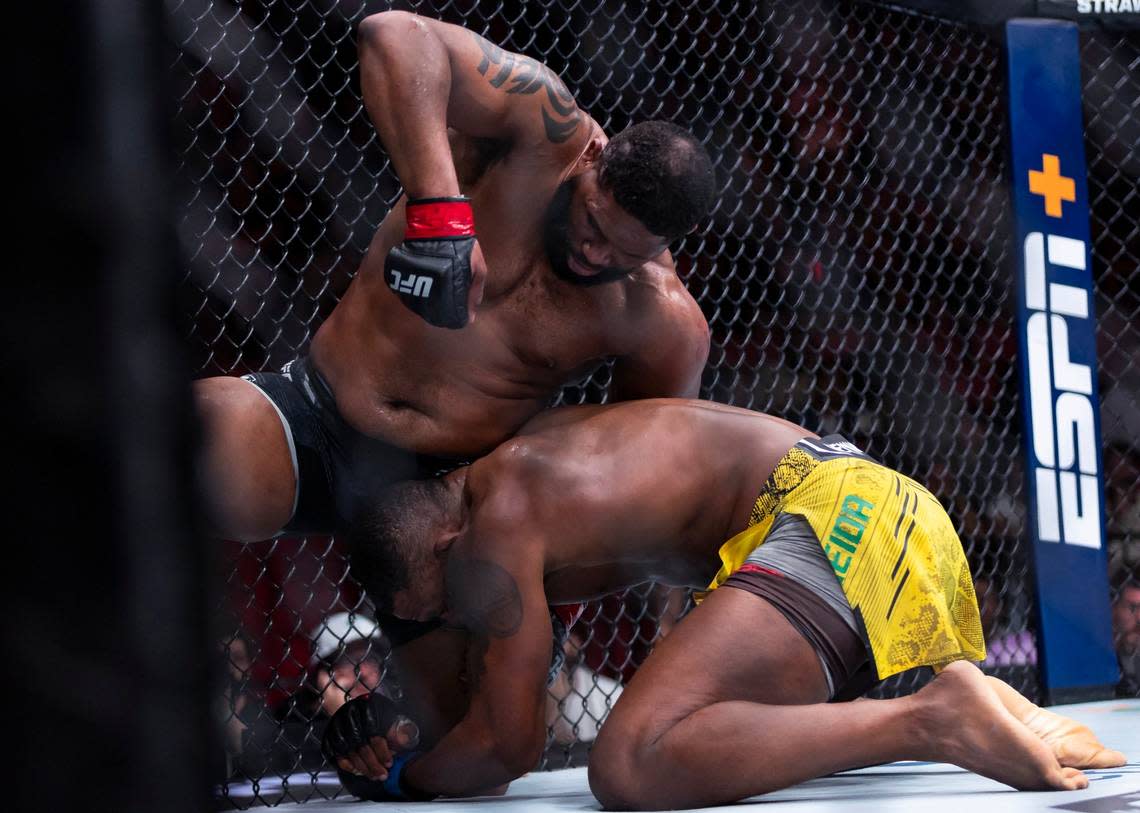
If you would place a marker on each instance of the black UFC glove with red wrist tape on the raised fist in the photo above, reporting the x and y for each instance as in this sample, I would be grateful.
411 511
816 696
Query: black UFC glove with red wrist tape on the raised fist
431 270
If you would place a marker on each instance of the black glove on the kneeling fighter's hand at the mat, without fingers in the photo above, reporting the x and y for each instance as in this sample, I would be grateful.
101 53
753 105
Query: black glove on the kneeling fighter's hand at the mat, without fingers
351 729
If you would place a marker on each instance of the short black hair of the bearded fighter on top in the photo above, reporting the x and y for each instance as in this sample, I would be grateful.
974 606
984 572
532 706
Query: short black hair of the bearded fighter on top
662 175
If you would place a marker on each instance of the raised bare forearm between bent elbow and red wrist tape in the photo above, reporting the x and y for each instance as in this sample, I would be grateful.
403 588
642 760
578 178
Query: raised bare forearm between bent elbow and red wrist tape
406 83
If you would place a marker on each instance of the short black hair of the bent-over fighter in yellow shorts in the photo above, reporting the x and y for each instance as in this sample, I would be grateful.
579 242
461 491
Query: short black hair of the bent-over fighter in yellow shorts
384 534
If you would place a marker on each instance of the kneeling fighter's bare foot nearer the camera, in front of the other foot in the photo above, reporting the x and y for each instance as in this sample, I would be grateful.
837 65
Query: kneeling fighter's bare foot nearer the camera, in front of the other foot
967 725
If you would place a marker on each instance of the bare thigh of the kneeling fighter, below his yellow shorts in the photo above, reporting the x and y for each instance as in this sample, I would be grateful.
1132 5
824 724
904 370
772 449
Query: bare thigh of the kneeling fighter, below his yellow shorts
735 646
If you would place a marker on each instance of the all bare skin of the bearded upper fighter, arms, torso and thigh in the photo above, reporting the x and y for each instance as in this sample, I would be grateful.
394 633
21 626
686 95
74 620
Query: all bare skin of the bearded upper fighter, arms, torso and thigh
460 116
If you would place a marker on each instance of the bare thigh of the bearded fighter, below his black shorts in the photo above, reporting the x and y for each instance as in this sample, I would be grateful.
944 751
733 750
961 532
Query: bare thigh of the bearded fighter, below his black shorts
248 467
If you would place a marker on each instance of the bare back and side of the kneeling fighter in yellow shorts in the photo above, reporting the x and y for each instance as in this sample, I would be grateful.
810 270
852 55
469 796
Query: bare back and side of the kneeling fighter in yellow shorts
628 493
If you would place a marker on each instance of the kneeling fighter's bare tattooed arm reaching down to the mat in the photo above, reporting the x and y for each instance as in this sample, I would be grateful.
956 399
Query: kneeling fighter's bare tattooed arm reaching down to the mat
501 600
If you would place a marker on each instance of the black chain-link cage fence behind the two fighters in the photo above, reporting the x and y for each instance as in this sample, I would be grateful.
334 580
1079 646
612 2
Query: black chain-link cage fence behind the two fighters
857 275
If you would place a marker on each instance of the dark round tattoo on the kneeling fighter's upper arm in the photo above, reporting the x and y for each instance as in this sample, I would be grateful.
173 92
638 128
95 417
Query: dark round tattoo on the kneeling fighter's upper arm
485 598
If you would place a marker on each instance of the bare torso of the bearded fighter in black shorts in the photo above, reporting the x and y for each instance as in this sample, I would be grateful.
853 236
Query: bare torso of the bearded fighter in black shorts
461 393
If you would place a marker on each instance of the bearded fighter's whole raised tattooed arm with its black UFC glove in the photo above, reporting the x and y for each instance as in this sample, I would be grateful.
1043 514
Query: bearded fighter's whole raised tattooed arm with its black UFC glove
419 77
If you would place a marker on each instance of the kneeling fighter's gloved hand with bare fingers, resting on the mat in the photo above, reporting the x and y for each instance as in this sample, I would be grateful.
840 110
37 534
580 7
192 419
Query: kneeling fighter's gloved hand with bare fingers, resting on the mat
367 734
